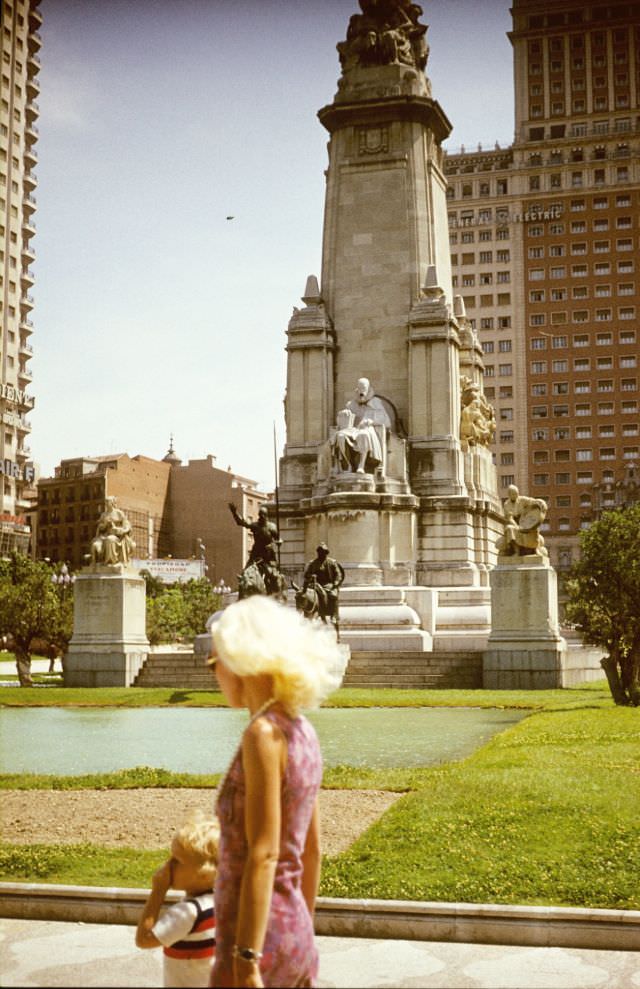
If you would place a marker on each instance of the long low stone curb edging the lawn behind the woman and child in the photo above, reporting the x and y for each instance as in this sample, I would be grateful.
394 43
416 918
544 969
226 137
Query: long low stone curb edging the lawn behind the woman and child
467 923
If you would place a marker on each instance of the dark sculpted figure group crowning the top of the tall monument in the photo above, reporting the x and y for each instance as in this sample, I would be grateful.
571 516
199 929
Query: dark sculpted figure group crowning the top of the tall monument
386 32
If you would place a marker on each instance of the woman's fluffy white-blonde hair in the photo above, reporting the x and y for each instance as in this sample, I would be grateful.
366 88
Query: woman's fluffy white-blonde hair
259 636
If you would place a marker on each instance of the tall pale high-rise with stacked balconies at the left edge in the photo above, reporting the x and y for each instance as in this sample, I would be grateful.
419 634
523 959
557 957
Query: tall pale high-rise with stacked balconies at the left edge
20 43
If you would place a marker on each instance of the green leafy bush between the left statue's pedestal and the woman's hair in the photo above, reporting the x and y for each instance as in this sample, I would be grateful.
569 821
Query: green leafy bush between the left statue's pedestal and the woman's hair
178 612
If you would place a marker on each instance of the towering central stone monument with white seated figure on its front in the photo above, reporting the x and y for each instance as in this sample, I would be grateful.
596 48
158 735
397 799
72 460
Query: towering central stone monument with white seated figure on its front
387 454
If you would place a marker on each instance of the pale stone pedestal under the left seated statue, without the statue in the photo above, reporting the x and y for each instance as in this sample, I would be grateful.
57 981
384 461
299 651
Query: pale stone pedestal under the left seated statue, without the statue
109 642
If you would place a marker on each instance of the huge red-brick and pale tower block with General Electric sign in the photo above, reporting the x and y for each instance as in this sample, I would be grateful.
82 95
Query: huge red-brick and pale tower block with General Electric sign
545 238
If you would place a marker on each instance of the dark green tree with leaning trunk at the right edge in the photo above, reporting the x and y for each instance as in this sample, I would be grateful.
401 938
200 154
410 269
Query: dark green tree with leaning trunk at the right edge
604 598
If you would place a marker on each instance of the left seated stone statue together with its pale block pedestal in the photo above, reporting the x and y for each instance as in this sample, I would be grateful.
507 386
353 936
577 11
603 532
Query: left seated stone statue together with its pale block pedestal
109 642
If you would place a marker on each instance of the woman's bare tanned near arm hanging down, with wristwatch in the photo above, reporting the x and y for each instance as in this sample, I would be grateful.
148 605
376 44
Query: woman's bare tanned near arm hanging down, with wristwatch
263 758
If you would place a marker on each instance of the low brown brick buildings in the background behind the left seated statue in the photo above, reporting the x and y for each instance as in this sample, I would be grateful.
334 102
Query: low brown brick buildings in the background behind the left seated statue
175 510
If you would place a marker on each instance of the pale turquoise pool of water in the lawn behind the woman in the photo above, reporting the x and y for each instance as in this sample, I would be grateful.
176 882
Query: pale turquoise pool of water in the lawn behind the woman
73 741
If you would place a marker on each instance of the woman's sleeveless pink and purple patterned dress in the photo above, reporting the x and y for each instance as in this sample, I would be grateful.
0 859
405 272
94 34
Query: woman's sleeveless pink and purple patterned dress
290 956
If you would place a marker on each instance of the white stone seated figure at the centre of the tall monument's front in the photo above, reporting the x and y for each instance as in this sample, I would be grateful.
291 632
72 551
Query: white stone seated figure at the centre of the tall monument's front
357 445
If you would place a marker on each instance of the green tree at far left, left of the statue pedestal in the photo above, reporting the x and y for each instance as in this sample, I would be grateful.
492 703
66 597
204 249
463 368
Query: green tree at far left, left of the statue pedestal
31 609
